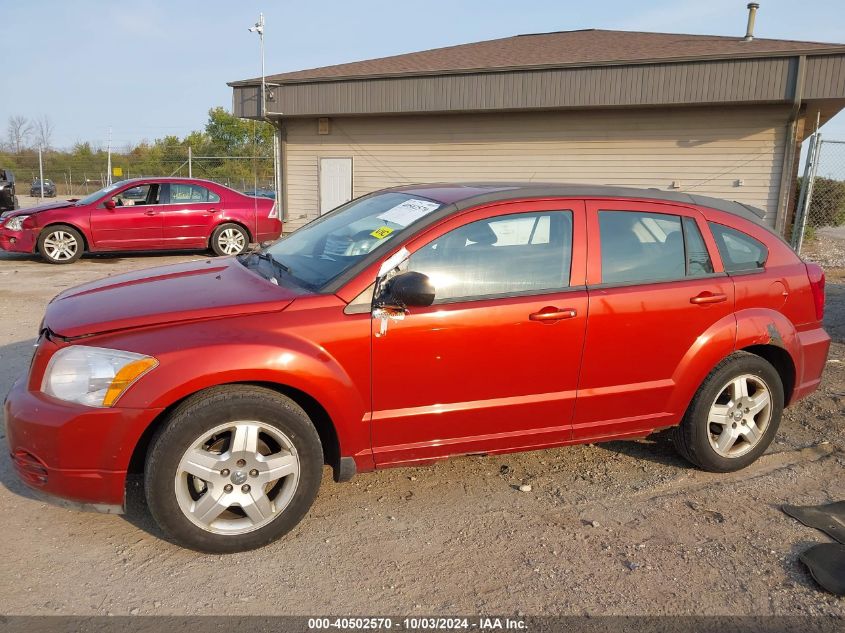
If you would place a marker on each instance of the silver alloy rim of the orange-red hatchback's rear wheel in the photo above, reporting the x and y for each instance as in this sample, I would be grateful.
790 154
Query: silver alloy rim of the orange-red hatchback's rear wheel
739 416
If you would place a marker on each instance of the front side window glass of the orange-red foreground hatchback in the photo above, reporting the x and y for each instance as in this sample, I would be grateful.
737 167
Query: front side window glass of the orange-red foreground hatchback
516 254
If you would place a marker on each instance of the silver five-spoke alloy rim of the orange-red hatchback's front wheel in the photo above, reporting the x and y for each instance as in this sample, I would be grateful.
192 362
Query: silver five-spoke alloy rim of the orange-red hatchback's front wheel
237 477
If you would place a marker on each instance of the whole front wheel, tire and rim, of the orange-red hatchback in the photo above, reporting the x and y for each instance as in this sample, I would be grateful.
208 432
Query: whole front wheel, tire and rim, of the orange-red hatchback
238 507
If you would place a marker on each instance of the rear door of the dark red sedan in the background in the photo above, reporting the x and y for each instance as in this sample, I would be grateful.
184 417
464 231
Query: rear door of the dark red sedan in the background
190 214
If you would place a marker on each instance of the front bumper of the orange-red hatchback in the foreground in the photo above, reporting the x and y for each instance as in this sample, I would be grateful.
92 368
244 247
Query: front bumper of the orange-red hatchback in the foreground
70 451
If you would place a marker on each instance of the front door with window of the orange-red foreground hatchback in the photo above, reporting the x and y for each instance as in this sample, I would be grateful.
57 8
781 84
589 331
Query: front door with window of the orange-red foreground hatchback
493 363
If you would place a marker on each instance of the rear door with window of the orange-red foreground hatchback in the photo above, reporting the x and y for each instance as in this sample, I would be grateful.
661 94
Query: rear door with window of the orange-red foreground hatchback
657 297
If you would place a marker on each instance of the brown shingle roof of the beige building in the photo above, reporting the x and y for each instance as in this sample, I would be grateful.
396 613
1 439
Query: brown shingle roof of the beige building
587 47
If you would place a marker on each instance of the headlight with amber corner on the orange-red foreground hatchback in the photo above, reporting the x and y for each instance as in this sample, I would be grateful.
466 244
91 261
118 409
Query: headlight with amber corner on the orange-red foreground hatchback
93 376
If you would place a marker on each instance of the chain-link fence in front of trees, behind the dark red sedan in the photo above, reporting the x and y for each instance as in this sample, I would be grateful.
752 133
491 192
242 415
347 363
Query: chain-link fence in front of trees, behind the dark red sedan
76 177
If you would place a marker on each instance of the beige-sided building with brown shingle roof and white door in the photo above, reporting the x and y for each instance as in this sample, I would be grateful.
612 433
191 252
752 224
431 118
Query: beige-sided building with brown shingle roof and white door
711 115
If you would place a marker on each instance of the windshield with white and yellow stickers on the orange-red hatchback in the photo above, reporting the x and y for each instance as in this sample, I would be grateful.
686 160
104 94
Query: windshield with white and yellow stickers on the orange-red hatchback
330 245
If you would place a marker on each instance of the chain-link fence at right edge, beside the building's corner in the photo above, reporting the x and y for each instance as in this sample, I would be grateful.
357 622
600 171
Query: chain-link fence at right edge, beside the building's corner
819 229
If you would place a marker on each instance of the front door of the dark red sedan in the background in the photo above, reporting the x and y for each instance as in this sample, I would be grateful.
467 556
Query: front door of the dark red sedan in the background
133 223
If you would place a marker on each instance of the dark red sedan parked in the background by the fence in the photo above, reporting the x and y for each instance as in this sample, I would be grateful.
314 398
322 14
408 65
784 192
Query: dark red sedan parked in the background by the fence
143 214
